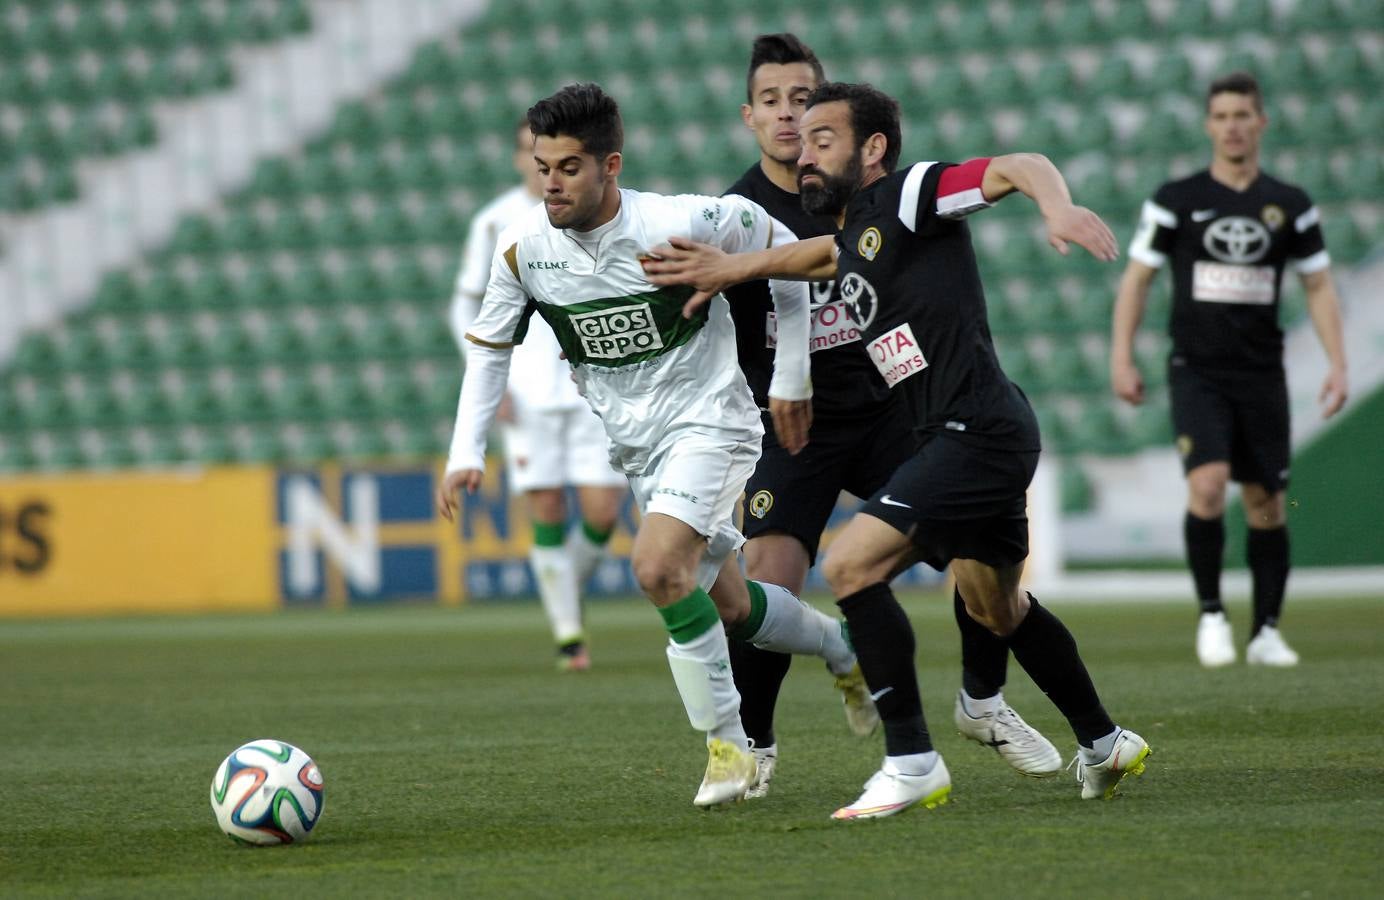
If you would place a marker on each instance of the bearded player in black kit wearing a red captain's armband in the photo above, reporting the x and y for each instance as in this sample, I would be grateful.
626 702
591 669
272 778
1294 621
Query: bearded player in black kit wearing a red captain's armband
907 272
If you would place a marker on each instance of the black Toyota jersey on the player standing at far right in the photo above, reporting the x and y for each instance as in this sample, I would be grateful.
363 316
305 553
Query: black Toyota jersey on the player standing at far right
1228 251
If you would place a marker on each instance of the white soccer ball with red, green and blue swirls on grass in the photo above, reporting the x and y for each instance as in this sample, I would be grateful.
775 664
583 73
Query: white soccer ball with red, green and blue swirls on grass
268 793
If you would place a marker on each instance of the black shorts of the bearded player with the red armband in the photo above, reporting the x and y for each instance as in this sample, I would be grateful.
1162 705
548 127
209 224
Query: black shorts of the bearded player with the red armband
960 502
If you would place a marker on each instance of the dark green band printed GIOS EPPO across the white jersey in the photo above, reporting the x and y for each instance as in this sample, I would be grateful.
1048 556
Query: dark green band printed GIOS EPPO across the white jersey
623 330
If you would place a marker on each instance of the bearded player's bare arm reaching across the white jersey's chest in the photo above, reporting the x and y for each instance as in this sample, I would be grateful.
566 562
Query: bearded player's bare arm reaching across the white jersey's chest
711 269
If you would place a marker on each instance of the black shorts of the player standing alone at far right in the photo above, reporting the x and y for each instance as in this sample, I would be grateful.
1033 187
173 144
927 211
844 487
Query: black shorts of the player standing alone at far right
1232 417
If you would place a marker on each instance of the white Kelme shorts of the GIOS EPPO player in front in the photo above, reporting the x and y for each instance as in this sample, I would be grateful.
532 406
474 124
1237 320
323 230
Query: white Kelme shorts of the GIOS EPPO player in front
698 478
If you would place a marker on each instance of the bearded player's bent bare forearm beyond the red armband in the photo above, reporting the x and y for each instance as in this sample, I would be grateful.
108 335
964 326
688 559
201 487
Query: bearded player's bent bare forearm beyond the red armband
1035 177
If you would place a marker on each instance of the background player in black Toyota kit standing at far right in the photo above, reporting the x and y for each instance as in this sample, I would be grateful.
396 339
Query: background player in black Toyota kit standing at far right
1230 232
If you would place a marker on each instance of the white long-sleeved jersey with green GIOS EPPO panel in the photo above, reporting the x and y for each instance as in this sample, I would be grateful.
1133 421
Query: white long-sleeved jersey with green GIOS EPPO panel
646 370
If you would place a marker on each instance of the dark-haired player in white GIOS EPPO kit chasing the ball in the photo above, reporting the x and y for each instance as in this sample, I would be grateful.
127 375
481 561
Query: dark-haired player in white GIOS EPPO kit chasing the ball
677 411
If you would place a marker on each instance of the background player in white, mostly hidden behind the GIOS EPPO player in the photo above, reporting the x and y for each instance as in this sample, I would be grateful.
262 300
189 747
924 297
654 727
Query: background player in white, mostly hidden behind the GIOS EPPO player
552 437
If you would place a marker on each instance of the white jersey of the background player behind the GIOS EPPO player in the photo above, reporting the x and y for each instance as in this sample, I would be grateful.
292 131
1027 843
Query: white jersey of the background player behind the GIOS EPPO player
546 383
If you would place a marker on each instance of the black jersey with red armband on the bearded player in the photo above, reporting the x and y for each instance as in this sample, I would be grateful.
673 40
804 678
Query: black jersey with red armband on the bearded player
909 278
